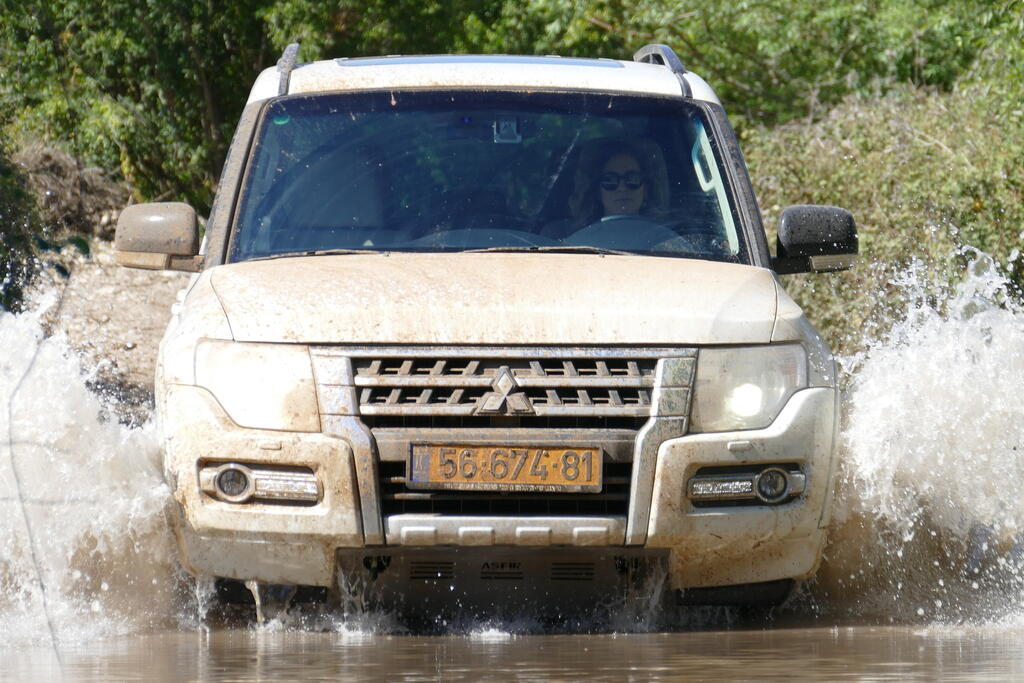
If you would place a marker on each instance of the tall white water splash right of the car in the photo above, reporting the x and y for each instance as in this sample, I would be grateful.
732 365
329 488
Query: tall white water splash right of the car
929 514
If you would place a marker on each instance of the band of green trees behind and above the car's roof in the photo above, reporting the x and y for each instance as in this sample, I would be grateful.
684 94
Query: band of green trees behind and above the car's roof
154 90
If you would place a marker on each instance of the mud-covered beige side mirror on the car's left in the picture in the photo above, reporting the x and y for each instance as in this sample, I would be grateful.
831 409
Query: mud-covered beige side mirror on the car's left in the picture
158 237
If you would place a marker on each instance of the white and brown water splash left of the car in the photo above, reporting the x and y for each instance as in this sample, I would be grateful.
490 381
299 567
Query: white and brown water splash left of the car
88 497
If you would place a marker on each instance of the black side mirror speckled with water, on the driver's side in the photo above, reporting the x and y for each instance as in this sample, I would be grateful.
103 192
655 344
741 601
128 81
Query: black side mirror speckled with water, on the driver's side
816 239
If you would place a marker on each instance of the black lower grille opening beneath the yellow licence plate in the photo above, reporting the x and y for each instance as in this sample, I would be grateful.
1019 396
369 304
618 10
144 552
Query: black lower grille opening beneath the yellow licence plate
397 499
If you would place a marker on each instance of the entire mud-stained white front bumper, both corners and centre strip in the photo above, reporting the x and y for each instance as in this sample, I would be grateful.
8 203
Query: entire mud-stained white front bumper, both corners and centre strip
290 544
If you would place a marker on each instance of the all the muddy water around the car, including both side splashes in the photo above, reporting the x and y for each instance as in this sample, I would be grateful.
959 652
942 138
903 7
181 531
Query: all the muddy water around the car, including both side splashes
922 578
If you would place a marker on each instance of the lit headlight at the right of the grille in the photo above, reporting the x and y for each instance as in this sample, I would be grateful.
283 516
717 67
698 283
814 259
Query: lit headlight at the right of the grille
745 389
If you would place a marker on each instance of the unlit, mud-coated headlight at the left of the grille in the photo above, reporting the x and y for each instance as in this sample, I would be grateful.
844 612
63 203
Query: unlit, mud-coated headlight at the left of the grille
264 387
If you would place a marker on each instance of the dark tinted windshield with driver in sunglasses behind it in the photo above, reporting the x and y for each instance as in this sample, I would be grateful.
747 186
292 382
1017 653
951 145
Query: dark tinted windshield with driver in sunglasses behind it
470 172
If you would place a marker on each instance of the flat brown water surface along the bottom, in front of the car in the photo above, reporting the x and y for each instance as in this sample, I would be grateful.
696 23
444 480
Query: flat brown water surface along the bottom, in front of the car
841 654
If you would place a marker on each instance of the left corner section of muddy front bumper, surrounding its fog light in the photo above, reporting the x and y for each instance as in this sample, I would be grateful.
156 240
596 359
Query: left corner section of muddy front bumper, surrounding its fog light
274 543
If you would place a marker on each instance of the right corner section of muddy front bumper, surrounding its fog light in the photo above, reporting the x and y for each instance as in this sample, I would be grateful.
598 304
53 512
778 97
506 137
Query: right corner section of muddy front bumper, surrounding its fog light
722 546
